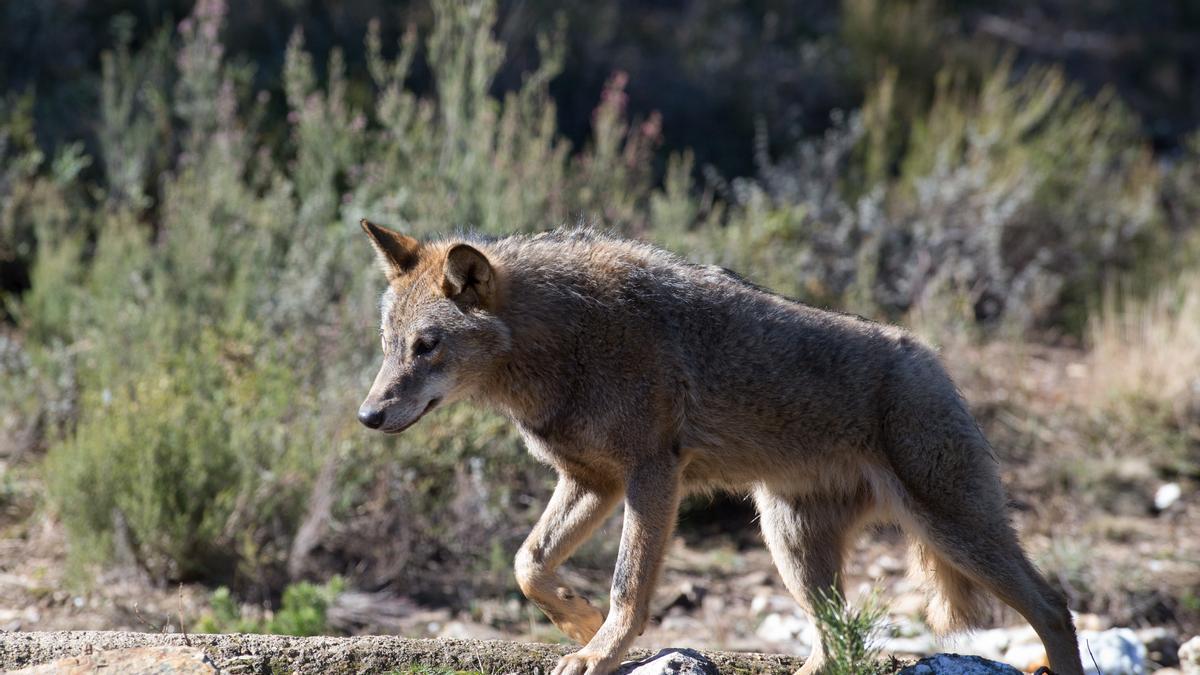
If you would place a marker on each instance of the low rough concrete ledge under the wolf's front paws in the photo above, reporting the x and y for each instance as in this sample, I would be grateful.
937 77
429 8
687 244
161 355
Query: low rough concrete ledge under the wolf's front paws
339 656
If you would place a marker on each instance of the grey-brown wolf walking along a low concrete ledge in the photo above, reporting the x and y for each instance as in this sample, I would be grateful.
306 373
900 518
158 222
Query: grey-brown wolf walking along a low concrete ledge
639 377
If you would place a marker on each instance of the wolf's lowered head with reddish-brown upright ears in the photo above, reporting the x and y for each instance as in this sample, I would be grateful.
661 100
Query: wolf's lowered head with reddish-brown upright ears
441 336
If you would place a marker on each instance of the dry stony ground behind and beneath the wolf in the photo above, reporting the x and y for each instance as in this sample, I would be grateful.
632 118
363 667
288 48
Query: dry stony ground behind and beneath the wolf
1130 559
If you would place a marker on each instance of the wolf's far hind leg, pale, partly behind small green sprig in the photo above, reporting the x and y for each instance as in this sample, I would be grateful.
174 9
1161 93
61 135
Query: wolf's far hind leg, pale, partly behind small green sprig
808 539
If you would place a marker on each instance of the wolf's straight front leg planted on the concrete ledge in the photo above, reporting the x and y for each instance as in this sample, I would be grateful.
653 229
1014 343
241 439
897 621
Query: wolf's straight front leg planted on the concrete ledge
652 504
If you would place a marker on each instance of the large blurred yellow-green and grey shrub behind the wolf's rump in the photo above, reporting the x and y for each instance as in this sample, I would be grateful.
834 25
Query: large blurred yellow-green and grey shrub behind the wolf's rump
1012 199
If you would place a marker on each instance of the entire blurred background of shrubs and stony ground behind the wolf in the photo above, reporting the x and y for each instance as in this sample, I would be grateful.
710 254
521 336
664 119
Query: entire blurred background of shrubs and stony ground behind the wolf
189 309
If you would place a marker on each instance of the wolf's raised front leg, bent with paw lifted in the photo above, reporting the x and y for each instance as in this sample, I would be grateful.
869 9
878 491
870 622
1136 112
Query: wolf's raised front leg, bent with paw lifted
574 512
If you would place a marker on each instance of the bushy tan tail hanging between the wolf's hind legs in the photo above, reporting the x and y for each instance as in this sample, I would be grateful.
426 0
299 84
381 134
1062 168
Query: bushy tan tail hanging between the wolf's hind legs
956 601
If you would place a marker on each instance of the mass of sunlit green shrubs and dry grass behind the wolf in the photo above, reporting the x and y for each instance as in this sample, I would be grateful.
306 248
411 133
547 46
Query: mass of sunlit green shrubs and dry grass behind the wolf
193 319
